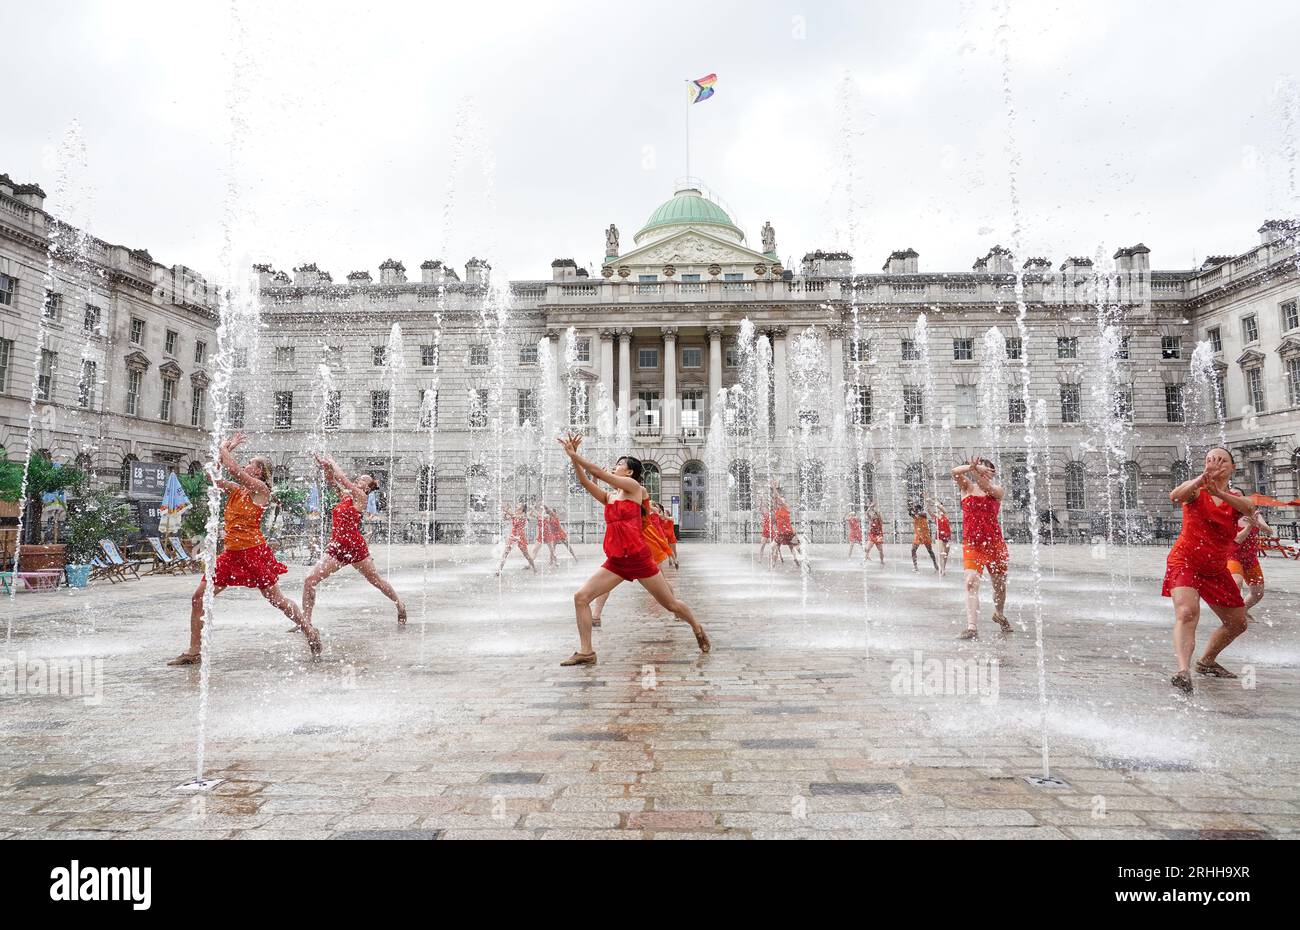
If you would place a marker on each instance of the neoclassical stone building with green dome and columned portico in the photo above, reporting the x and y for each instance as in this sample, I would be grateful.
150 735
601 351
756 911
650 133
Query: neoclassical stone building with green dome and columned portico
450 387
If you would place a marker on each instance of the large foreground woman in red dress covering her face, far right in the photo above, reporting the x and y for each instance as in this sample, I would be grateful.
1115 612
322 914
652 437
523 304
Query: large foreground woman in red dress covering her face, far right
1197 569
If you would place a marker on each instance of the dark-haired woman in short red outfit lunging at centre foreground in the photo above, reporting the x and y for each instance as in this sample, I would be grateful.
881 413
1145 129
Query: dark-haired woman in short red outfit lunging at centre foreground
629 556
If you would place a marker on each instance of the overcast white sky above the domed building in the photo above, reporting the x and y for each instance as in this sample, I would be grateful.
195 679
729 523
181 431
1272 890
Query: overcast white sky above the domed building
518 132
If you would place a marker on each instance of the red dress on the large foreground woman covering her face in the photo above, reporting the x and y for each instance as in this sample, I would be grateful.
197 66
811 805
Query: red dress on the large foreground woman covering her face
1199 557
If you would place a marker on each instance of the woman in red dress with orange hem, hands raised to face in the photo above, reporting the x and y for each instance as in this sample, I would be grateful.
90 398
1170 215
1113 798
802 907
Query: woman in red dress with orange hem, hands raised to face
983 547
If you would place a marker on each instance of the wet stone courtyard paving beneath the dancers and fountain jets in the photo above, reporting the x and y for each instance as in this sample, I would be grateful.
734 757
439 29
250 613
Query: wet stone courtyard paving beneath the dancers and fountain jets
465 725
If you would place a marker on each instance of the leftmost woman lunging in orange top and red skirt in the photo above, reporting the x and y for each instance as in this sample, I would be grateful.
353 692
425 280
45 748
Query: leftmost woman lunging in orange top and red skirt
246 561
